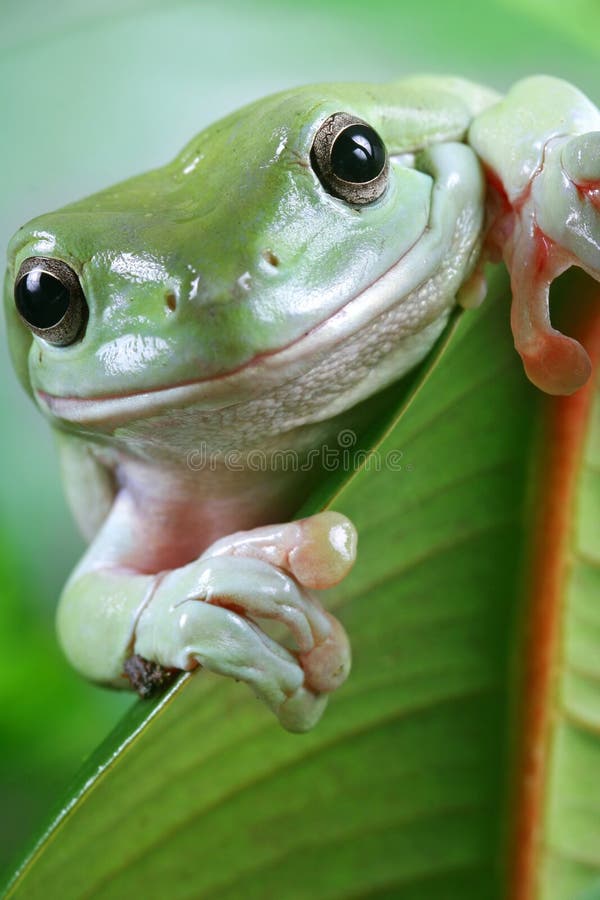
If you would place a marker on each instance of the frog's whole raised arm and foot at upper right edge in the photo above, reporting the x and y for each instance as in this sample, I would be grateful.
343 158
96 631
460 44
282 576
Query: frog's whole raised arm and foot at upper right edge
541 150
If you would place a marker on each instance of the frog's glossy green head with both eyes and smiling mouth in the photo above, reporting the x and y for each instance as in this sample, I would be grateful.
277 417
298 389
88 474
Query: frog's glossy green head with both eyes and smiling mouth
324 226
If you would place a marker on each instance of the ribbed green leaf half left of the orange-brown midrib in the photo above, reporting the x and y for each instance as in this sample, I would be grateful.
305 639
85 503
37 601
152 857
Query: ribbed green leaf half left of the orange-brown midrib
404 789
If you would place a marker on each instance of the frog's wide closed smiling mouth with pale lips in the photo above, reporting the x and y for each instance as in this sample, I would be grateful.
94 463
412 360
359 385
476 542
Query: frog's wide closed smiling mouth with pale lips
270 371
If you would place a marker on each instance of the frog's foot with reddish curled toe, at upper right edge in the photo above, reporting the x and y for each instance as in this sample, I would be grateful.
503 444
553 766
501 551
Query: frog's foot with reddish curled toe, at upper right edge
556 225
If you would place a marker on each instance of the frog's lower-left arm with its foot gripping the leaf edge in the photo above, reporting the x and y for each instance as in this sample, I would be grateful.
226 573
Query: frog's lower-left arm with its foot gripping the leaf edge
198 614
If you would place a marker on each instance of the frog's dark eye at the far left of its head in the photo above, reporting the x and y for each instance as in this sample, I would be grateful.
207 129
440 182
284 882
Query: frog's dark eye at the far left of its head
49 299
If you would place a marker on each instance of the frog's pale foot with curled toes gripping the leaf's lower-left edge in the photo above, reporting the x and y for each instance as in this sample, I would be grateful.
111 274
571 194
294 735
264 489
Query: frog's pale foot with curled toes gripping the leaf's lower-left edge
205 614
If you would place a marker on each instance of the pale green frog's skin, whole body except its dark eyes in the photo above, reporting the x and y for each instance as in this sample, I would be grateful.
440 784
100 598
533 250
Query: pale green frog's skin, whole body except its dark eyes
234 304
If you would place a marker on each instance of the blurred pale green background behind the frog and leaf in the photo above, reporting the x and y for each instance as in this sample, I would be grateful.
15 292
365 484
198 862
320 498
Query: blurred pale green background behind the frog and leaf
90 95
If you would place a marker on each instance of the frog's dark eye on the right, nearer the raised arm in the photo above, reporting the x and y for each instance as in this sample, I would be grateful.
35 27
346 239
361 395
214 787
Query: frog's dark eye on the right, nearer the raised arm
350 159
